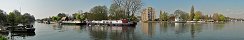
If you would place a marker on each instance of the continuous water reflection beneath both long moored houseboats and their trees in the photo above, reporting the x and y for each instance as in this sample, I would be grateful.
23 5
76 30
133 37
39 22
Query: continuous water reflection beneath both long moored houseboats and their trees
101 32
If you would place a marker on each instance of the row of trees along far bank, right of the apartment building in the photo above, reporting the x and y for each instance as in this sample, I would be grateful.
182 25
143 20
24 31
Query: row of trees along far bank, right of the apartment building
192 16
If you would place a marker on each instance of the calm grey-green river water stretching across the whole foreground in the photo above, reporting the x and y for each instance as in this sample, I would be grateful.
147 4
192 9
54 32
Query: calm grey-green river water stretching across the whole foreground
143 31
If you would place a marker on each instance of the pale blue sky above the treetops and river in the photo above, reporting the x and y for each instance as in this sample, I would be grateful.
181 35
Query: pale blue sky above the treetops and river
47 8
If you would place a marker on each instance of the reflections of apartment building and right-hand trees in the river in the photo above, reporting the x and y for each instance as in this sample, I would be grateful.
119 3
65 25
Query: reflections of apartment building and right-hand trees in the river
179 29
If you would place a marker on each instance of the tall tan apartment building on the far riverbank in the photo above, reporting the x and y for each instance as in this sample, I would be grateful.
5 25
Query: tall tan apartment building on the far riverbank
148 14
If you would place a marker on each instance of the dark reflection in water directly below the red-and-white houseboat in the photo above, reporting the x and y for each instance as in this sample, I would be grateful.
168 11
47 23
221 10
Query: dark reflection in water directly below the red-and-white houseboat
112 32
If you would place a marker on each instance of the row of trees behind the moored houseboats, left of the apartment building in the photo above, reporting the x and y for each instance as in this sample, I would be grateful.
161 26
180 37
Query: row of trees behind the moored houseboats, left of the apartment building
119 9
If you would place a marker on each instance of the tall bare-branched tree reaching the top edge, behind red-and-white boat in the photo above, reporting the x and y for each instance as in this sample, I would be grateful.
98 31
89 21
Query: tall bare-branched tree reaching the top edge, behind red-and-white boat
129 6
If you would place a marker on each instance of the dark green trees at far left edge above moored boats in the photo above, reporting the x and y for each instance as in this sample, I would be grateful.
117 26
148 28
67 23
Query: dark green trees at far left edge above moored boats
15 17
